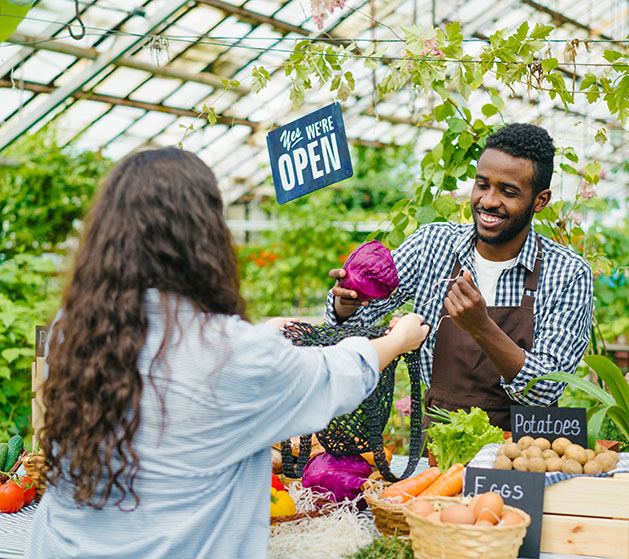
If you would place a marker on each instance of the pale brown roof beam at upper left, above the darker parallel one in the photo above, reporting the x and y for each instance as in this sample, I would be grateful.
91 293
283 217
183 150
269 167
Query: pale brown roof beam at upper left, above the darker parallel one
40 43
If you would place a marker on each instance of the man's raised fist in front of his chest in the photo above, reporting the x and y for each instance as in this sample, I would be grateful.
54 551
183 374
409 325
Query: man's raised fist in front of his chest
466 305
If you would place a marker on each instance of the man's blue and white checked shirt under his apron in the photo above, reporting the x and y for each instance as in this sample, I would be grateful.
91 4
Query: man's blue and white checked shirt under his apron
562 312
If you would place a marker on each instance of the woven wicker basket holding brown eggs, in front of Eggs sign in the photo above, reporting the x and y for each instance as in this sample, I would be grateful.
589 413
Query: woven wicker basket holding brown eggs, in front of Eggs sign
432 540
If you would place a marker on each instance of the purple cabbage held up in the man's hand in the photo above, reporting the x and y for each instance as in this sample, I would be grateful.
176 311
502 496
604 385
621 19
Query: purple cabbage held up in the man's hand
370 271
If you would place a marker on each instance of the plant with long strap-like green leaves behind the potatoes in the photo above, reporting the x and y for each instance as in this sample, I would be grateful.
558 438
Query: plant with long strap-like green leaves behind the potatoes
612 403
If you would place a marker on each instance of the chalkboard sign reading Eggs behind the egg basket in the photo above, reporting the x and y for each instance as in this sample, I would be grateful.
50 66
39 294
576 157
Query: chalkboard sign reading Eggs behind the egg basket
523 490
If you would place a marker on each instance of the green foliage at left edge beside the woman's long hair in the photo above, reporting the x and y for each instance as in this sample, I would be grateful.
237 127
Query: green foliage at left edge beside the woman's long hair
44 194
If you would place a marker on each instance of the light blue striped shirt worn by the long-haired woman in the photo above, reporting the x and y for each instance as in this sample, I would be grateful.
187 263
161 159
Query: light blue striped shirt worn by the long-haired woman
233 389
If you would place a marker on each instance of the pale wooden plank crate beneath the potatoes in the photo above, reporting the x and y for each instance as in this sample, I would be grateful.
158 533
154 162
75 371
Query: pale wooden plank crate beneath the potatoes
587 516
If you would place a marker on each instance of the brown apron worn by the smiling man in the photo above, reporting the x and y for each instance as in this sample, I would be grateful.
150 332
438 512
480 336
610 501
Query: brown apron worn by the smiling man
462 375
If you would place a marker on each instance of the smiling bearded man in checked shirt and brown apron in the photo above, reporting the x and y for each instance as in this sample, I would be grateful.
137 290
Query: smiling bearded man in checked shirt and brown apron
505 304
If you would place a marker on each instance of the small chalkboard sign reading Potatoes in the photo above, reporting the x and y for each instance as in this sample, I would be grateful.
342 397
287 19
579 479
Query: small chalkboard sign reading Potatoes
550 423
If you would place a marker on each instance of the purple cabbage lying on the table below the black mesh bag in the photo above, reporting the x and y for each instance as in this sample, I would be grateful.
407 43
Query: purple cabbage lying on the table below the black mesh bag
341 476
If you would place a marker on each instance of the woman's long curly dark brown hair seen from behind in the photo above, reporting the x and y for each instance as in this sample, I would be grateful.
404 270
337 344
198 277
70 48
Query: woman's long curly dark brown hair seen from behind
157 223
